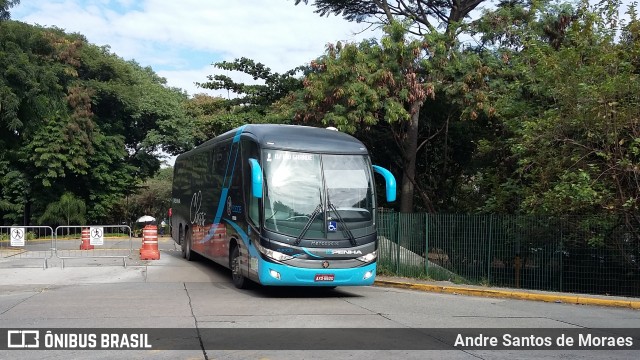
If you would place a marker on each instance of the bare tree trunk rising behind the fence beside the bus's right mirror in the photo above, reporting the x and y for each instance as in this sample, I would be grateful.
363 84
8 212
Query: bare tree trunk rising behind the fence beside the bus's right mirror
409 160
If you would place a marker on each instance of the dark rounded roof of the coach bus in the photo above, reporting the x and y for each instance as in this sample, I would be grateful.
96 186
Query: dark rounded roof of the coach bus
295 138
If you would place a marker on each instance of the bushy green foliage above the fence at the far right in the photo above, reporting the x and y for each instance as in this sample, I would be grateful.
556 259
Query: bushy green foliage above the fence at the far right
567 99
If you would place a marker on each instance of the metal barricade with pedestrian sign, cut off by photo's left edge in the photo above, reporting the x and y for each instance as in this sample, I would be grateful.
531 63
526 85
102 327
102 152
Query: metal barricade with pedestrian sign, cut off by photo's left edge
26 242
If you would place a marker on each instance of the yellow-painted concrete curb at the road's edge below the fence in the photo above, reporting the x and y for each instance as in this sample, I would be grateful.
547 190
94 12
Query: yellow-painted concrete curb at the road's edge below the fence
508 294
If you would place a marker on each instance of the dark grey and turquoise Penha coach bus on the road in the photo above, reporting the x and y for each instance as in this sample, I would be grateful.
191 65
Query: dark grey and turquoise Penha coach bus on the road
280 205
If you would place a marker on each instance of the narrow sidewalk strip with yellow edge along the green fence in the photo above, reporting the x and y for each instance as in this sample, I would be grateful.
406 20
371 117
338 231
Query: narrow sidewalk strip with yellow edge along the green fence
507 293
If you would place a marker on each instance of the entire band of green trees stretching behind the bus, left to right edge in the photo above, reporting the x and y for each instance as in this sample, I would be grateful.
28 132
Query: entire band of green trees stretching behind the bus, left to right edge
539 117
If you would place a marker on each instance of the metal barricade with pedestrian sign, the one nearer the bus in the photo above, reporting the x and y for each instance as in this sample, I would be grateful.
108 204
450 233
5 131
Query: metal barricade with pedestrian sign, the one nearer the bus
93 241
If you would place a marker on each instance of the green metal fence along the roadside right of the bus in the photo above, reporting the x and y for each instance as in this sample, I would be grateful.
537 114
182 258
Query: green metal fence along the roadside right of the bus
569 254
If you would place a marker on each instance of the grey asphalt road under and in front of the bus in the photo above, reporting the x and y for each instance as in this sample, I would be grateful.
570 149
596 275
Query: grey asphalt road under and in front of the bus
198 296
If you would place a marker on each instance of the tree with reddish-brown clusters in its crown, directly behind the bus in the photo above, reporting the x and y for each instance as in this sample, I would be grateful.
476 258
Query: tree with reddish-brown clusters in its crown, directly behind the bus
408 93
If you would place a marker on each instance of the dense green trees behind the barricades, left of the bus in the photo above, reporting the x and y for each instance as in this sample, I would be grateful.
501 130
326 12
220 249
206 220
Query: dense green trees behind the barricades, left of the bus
75 117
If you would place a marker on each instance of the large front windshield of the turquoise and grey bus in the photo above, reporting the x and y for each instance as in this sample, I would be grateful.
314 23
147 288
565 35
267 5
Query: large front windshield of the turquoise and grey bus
318 196
